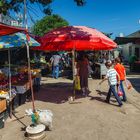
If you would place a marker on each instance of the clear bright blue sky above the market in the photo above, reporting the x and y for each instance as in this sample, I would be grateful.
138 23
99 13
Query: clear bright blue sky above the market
116 16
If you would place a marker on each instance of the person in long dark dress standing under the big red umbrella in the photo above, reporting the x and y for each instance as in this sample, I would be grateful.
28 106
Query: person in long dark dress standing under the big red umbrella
82 72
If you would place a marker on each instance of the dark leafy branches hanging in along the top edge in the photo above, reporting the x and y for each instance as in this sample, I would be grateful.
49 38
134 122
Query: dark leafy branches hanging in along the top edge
16 5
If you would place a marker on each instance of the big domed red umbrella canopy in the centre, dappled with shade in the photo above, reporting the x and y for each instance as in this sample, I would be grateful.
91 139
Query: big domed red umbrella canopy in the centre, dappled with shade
77 38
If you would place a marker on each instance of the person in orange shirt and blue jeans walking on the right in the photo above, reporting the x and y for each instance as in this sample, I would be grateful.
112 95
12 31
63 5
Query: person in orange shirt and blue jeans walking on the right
122 74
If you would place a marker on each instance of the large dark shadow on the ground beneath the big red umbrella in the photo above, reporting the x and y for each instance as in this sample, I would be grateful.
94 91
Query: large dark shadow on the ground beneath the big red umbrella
56 92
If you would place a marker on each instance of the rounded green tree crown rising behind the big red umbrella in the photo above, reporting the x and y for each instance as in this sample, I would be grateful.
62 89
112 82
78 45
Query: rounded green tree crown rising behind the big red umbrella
48 23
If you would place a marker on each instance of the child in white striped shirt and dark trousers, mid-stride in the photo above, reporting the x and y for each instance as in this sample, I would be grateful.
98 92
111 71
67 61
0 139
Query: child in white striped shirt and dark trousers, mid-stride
111 76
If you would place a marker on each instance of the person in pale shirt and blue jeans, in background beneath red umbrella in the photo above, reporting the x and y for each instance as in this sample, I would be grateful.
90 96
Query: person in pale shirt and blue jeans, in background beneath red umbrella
55 61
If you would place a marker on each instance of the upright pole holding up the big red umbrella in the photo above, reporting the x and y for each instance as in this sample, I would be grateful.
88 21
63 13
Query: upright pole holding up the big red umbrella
73 69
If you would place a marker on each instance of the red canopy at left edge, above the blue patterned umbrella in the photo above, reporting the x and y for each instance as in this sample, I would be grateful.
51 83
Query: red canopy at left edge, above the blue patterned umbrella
6 29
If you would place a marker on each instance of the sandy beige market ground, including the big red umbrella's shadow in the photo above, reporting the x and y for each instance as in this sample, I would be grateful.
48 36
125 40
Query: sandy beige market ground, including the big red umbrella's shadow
88 118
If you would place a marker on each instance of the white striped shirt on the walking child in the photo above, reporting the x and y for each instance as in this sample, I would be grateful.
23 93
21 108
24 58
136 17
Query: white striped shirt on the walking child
112 76
